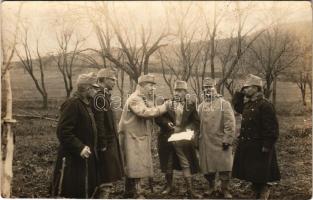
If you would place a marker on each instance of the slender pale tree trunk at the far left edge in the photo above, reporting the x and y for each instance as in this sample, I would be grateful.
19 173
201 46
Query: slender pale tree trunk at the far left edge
8 143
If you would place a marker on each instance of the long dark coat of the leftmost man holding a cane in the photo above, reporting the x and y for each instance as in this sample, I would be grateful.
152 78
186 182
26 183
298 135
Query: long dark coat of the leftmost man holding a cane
76 129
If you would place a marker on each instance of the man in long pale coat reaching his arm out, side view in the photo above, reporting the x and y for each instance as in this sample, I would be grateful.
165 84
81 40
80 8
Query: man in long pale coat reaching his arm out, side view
135 135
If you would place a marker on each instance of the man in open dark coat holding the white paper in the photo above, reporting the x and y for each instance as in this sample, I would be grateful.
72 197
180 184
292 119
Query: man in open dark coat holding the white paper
179 155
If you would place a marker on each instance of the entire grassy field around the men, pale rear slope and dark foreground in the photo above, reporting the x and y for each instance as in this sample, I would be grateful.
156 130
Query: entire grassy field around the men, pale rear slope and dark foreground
36 145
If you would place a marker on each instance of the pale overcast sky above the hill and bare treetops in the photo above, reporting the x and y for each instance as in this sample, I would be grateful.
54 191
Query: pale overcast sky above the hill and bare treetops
42 18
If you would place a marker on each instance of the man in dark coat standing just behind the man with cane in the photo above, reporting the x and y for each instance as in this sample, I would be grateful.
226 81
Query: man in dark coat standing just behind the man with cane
110 160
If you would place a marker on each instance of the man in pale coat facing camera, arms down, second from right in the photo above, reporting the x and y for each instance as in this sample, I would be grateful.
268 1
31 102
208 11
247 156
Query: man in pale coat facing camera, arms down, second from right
217 131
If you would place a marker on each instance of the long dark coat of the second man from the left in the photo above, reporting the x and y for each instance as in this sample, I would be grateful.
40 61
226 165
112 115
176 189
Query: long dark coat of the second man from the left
110 160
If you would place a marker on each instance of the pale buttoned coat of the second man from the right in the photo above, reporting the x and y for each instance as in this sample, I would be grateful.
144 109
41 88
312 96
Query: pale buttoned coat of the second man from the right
217 126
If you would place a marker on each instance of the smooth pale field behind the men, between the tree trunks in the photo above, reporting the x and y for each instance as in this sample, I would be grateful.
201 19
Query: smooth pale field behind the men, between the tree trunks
24 88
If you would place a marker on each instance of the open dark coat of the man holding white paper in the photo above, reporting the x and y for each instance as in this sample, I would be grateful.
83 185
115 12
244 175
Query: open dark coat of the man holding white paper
168 158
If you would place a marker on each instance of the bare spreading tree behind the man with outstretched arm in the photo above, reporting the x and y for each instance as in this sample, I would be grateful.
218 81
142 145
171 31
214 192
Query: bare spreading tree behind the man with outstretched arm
137 54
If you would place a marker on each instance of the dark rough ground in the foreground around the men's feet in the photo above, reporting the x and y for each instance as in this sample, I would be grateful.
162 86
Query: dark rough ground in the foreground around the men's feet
36 146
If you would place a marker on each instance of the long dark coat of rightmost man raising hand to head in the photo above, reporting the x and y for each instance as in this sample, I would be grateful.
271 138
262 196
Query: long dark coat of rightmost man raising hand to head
259 128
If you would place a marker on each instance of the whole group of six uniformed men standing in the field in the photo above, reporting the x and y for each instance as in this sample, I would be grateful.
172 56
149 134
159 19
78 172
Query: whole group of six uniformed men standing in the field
94 153
